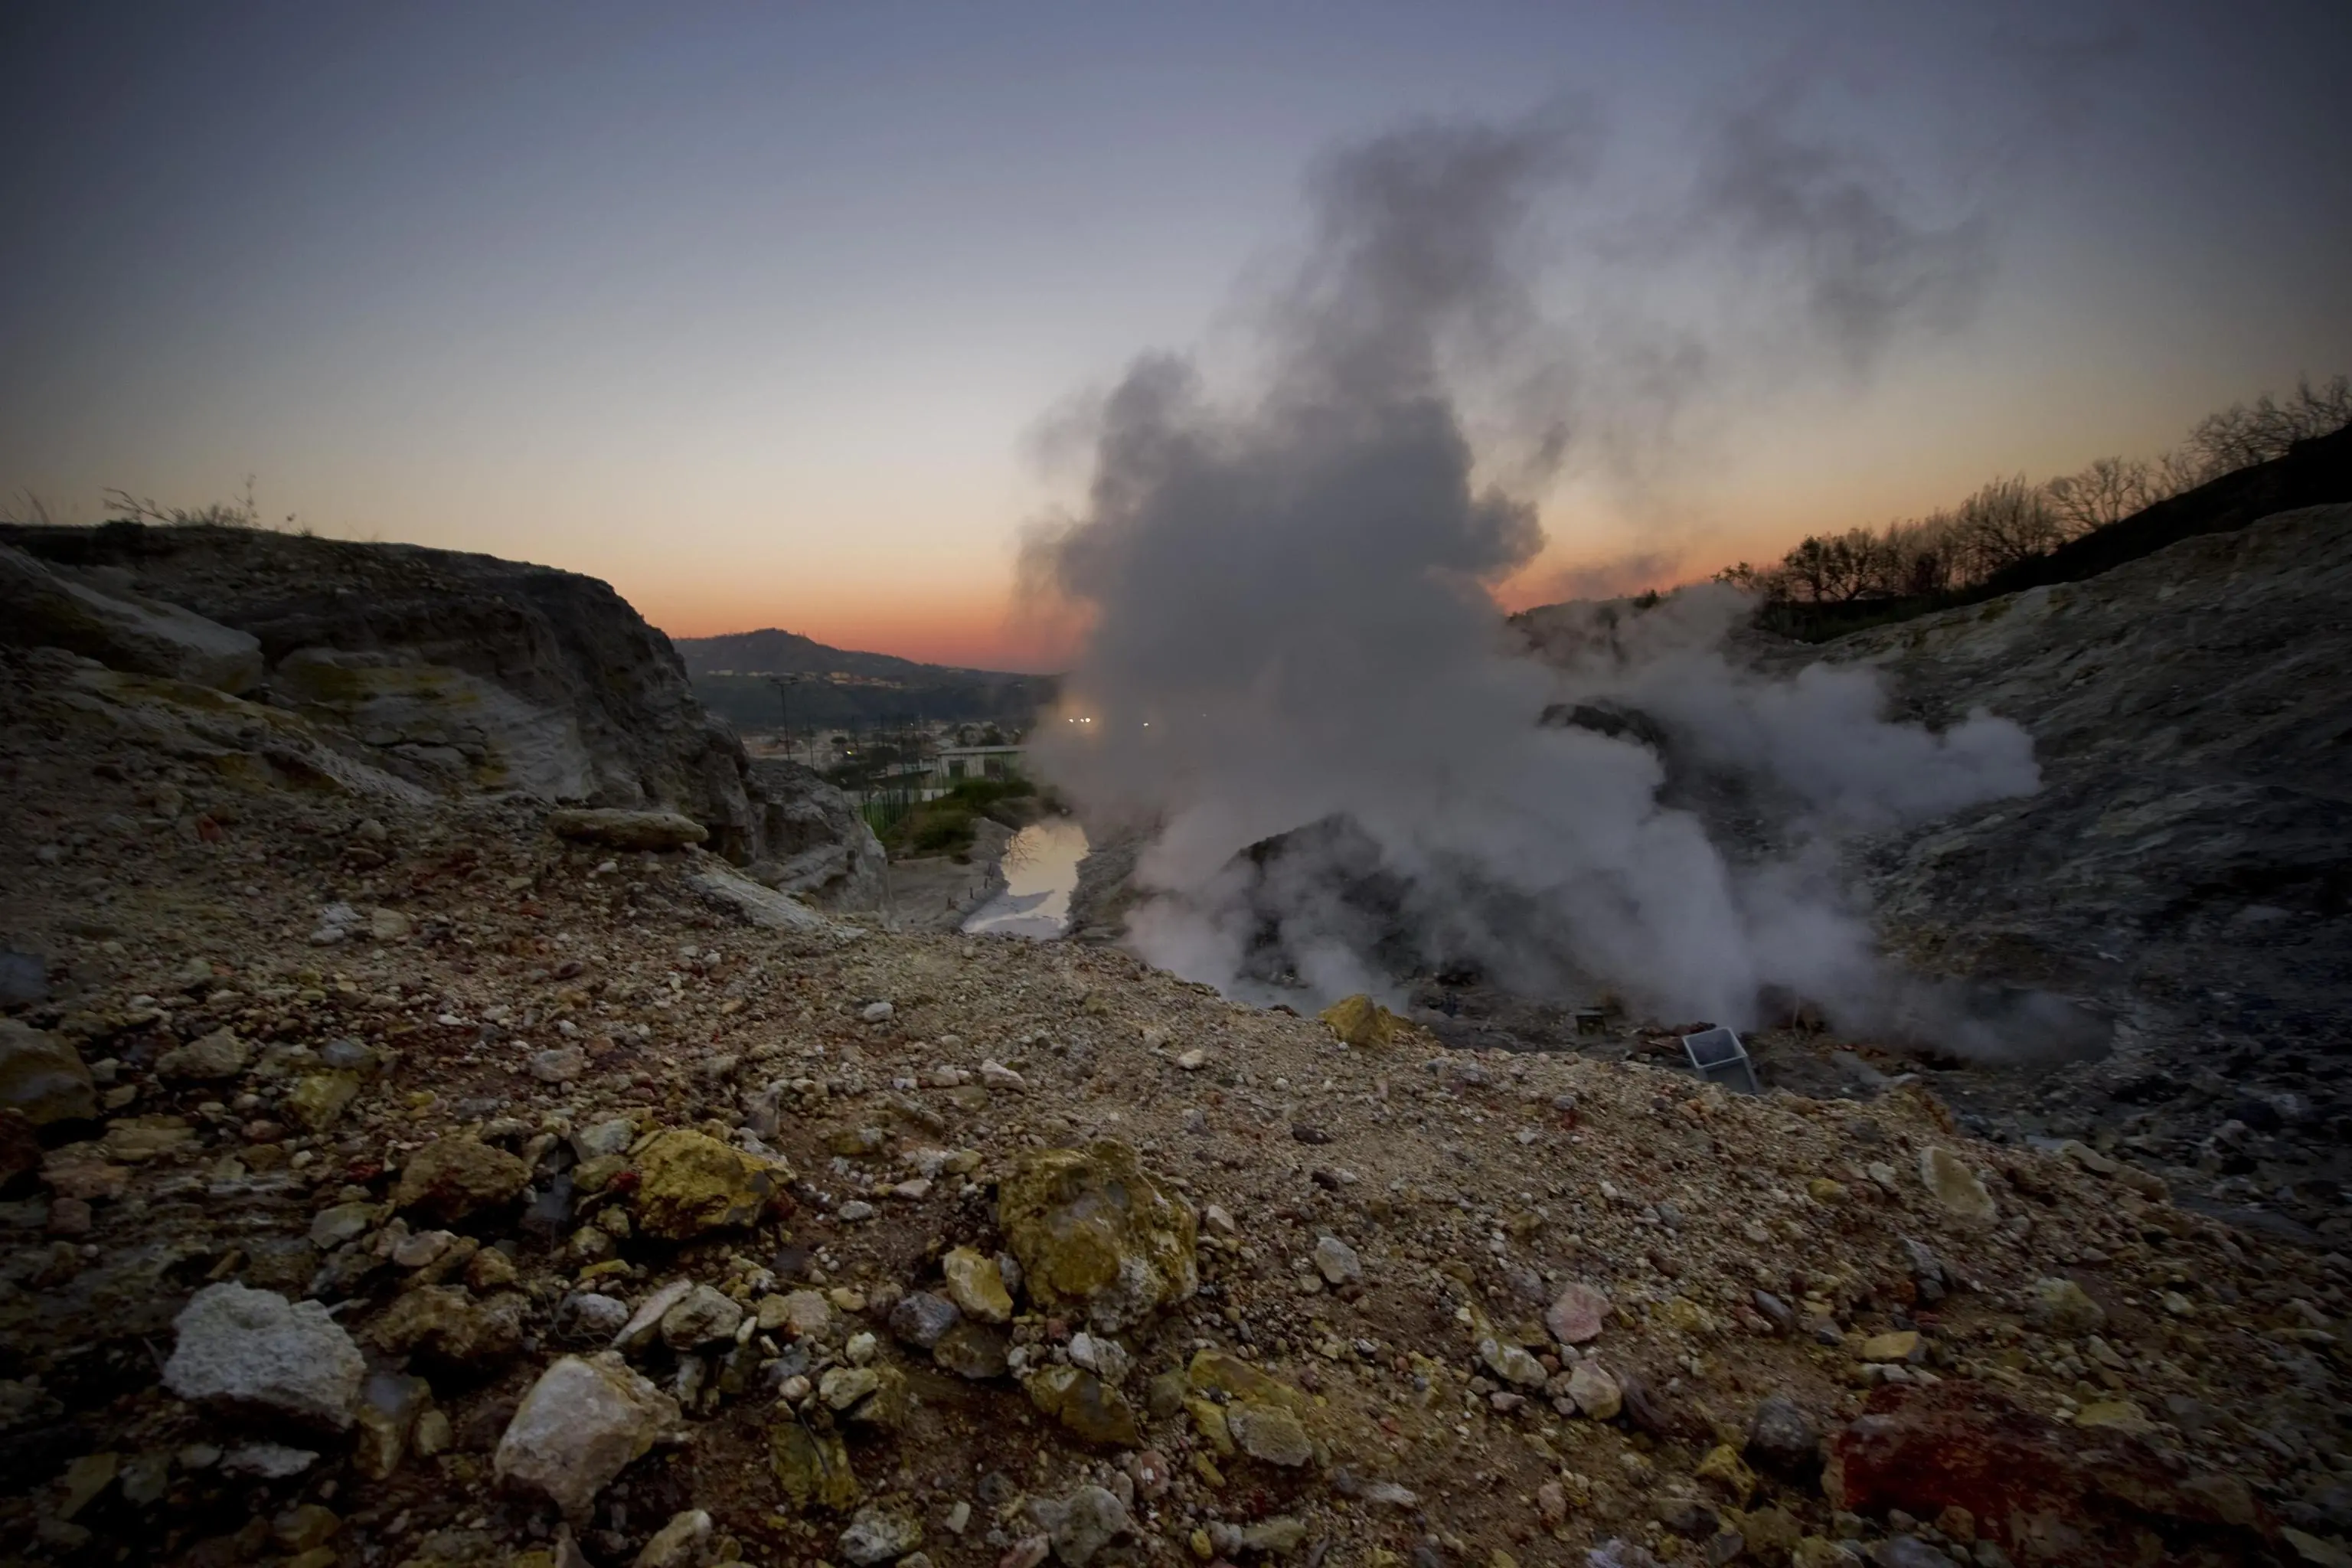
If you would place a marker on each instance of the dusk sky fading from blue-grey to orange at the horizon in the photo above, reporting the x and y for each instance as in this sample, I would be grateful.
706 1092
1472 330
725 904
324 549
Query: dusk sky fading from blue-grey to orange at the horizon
770 314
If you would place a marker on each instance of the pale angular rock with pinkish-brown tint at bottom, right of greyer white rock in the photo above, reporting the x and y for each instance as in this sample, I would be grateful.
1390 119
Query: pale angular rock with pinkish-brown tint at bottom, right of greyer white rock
580 1428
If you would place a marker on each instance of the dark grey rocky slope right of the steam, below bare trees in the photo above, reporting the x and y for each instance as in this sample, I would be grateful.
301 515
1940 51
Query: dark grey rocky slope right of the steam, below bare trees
2186 864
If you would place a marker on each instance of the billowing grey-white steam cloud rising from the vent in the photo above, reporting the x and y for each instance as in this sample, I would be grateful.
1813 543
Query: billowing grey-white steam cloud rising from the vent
1290 615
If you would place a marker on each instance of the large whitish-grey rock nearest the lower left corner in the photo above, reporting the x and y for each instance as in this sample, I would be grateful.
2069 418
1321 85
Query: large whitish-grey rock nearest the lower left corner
258 1353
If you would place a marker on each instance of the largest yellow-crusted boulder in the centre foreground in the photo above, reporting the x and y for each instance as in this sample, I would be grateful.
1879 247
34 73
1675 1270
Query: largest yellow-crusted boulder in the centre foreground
1093 1231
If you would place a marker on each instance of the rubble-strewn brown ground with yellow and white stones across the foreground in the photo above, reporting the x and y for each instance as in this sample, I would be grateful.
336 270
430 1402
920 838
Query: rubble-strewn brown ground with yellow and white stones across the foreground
396 1181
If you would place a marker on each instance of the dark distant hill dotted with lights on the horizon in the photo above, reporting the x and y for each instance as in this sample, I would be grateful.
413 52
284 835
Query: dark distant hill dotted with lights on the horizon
848 690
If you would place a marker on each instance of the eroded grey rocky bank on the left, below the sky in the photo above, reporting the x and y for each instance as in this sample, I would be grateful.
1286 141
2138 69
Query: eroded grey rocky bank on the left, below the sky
427 669
